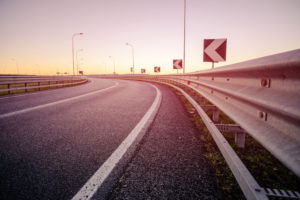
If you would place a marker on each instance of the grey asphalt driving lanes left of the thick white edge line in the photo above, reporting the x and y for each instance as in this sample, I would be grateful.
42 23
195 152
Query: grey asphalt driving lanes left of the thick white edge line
52 142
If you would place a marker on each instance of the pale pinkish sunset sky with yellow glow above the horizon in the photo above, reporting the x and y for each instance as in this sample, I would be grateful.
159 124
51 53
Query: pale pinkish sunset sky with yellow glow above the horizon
36 35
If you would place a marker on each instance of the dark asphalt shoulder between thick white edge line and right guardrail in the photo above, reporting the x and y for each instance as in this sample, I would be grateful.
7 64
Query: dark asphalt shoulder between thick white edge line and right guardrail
169 162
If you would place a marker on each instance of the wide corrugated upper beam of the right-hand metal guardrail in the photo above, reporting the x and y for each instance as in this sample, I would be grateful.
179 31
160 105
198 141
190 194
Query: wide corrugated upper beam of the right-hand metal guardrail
262 96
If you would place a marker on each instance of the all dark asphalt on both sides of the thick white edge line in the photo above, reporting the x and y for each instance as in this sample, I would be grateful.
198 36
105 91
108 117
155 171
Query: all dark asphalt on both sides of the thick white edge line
50 152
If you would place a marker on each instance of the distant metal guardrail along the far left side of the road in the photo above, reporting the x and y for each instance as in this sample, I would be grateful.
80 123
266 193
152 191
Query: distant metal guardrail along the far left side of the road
10 84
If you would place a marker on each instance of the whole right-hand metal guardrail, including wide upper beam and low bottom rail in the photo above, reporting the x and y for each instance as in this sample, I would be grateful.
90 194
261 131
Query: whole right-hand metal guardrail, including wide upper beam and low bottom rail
263 97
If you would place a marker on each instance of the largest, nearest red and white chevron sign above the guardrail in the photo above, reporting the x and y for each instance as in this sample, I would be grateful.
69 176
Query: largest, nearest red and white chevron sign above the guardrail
214 50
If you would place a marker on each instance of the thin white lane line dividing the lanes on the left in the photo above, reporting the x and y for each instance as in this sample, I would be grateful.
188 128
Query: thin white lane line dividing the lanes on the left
55 103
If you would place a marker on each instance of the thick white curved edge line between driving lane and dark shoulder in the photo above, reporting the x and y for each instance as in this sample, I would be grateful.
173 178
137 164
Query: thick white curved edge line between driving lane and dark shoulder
95 182
